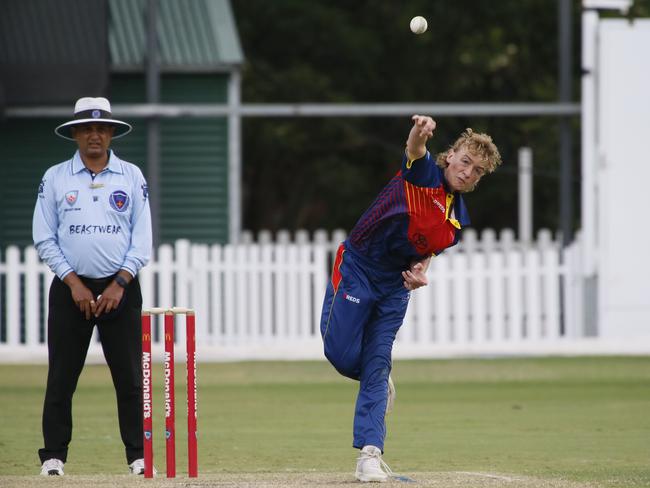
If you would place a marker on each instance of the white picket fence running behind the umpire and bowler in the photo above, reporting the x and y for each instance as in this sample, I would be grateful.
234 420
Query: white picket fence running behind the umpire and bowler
262 298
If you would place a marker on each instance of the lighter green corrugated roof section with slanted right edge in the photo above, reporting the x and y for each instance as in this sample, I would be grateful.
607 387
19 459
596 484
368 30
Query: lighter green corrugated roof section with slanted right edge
196 35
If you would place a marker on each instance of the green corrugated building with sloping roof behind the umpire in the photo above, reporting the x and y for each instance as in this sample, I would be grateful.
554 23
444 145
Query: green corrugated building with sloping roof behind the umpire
52 53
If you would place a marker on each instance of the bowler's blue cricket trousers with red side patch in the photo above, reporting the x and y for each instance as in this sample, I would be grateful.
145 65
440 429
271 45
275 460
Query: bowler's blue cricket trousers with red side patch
363 309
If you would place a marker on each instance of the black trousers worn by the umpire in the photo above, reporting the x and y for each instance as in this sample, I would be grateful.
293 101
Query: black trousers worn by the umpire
69 335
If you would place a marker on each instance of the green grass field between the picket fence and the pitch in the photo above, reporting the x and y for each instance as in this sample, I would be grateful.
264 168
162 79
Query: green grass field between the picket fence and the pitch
585 421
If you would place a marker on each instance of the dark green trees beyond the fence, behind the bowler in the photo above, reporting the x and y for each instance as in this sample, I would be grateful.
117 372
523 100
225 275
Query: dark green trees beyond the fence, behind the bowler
323 172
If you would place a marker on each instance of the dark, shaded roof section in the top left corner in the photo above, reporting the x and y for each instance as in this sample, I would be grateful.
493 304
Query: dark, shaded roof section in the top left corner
51 51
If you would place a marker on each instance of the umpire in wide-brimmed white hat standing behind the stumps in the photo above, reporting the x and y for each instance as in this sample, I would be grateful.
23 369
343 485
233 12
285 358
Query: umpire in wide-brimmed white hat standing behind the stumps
92 226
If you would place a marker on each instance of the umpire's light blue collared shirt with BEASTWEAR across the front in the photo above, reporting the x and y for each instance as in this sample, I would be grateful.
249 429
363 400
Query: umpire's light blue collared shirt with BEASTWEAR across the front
93 224
